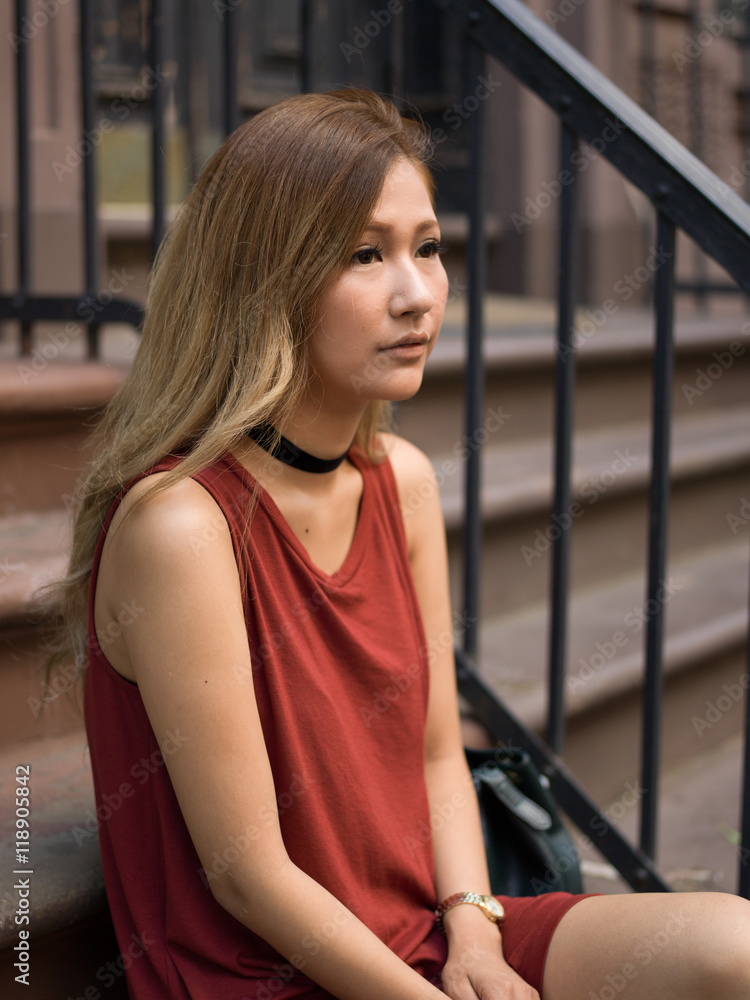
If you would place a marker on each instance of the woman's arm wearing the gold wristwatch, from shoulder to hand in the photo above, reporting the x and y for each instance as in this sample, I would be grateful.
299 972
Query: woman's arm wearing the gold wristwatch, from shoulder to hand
475 964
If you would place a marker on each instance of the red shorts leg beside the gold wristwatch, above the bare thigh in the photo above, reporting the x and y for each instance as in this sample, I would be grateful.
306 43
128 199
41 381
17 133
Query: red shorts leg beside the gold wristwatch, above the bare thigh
530 922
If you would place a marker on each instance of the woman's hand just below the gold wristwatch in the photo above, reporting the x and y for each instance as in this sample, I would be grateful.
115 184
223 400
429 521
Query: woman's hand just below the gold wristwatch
479 971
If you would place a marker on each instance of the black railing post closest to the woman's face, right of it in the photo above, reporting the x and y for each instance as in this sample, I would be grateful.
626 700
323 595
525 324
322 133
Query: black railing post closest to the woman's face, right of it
474 382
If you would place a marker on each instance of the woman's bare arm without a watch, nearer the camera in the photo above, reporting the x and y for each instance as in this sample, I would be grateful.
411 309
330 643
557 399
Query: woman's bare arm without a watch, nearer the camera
188 652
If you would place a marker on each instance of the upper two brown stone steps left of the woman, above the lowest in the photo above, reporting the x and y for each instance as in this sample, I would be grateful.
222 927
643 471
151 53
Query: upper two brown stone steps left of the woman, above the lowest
46 413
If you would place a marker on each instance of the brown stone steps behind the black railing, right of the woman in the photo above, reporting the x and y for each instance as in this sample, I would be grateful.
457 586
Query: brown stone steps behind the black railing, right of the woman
706 585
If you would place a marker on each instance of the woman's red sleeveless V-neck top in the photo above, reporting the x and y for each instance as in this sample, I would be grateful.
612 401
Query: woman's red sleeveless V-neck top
340 671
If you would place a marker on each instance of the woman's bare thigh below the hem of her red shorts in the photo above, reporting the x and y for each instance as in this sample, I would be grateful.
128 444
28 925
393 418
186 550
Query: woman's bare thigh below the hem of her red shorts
651 946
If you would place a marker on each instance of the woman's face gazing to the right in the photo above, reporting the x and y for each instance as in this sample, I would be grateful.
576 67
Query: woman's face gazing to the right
376 325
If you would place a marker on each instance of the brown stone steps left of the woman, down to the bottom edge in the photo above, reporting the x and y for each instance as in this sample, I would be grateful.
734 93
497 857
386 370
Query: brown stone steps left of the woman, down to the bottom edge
46 412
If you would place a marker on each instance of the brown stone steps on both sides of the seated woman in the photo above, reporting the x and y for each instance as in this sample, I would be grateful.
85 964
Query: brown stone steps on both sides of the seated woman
706 578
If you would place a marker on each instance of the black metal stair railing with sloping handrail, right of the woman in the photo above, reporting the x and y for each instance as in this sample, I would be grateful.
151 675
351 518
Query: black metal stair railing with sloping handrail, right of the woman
685 194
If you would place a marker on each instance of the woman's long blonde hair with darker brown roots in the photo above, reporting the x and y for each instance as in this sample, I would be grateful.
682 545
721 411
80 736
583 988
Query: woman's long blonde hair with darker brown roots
272 219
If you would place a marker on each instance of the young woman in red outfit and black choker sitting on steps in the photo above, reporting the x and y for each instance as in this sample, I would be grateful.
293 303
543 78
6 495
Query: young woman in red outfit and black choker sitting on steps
264 835
